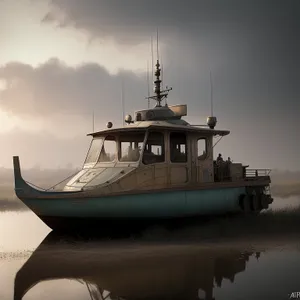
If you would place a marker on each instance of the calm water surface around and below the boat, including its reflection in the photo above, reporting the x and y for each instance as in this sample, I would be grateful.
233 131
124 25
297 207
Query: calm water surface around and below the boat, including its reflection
35 264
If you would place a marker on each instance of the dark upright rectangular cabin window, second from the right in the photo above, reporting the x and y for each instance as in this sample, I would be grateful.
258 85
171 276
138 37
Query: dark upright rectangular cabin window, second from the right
178 147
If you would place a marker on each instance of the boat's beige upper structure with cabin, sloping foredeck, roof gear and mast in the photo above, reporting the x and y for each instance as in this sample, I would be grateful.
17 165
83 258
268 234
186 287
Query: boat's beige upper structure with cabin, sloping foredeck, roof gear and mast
163 149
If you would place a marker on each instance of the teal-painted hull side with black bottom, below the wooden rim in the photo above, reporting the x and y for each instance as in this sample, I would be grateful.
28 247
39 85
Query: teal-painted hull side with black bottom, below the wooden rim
130 210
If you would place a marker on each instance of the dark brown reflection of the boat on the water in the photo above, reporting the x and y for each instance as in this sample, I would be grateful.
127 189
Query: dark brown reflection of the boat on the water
133 271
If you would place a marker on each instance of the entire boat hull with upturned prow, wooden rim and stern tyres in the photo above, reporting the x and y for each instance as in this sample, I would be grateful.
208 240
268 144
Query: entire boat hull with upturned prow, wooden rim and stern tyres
81 210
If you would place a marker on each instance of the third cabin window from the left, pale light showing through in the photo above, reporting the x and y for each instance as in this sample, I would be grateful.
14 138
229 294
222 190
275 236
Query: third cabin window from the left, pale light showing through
130 146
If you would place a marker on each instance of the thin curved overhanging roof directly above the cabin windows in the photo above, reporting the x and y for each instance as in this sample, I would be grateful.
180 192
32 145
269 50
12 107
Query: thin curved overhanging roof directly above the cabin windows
143 125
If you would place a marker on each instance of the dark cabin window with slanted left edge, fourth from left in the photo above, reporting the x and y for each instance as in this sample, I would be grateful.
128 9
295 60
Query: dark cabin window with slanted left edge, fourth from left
154 151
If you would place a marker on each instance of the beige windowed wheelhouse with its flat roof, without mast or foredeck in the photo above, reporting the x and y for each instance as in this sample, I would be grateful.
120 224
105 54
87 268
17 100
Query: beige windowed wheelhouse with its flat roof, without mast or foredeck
178 153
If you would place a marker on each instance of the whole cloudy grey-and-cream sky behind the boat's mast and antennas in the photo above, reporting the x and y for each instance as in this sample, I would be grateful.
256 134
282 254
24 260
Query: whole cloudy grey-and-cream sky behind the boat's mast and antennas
62 59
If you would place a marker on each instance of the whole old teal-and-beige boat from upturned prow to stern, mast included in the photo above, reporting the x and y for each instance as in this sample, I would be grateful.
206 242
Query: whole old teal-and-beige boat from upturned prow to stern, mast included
155 167
